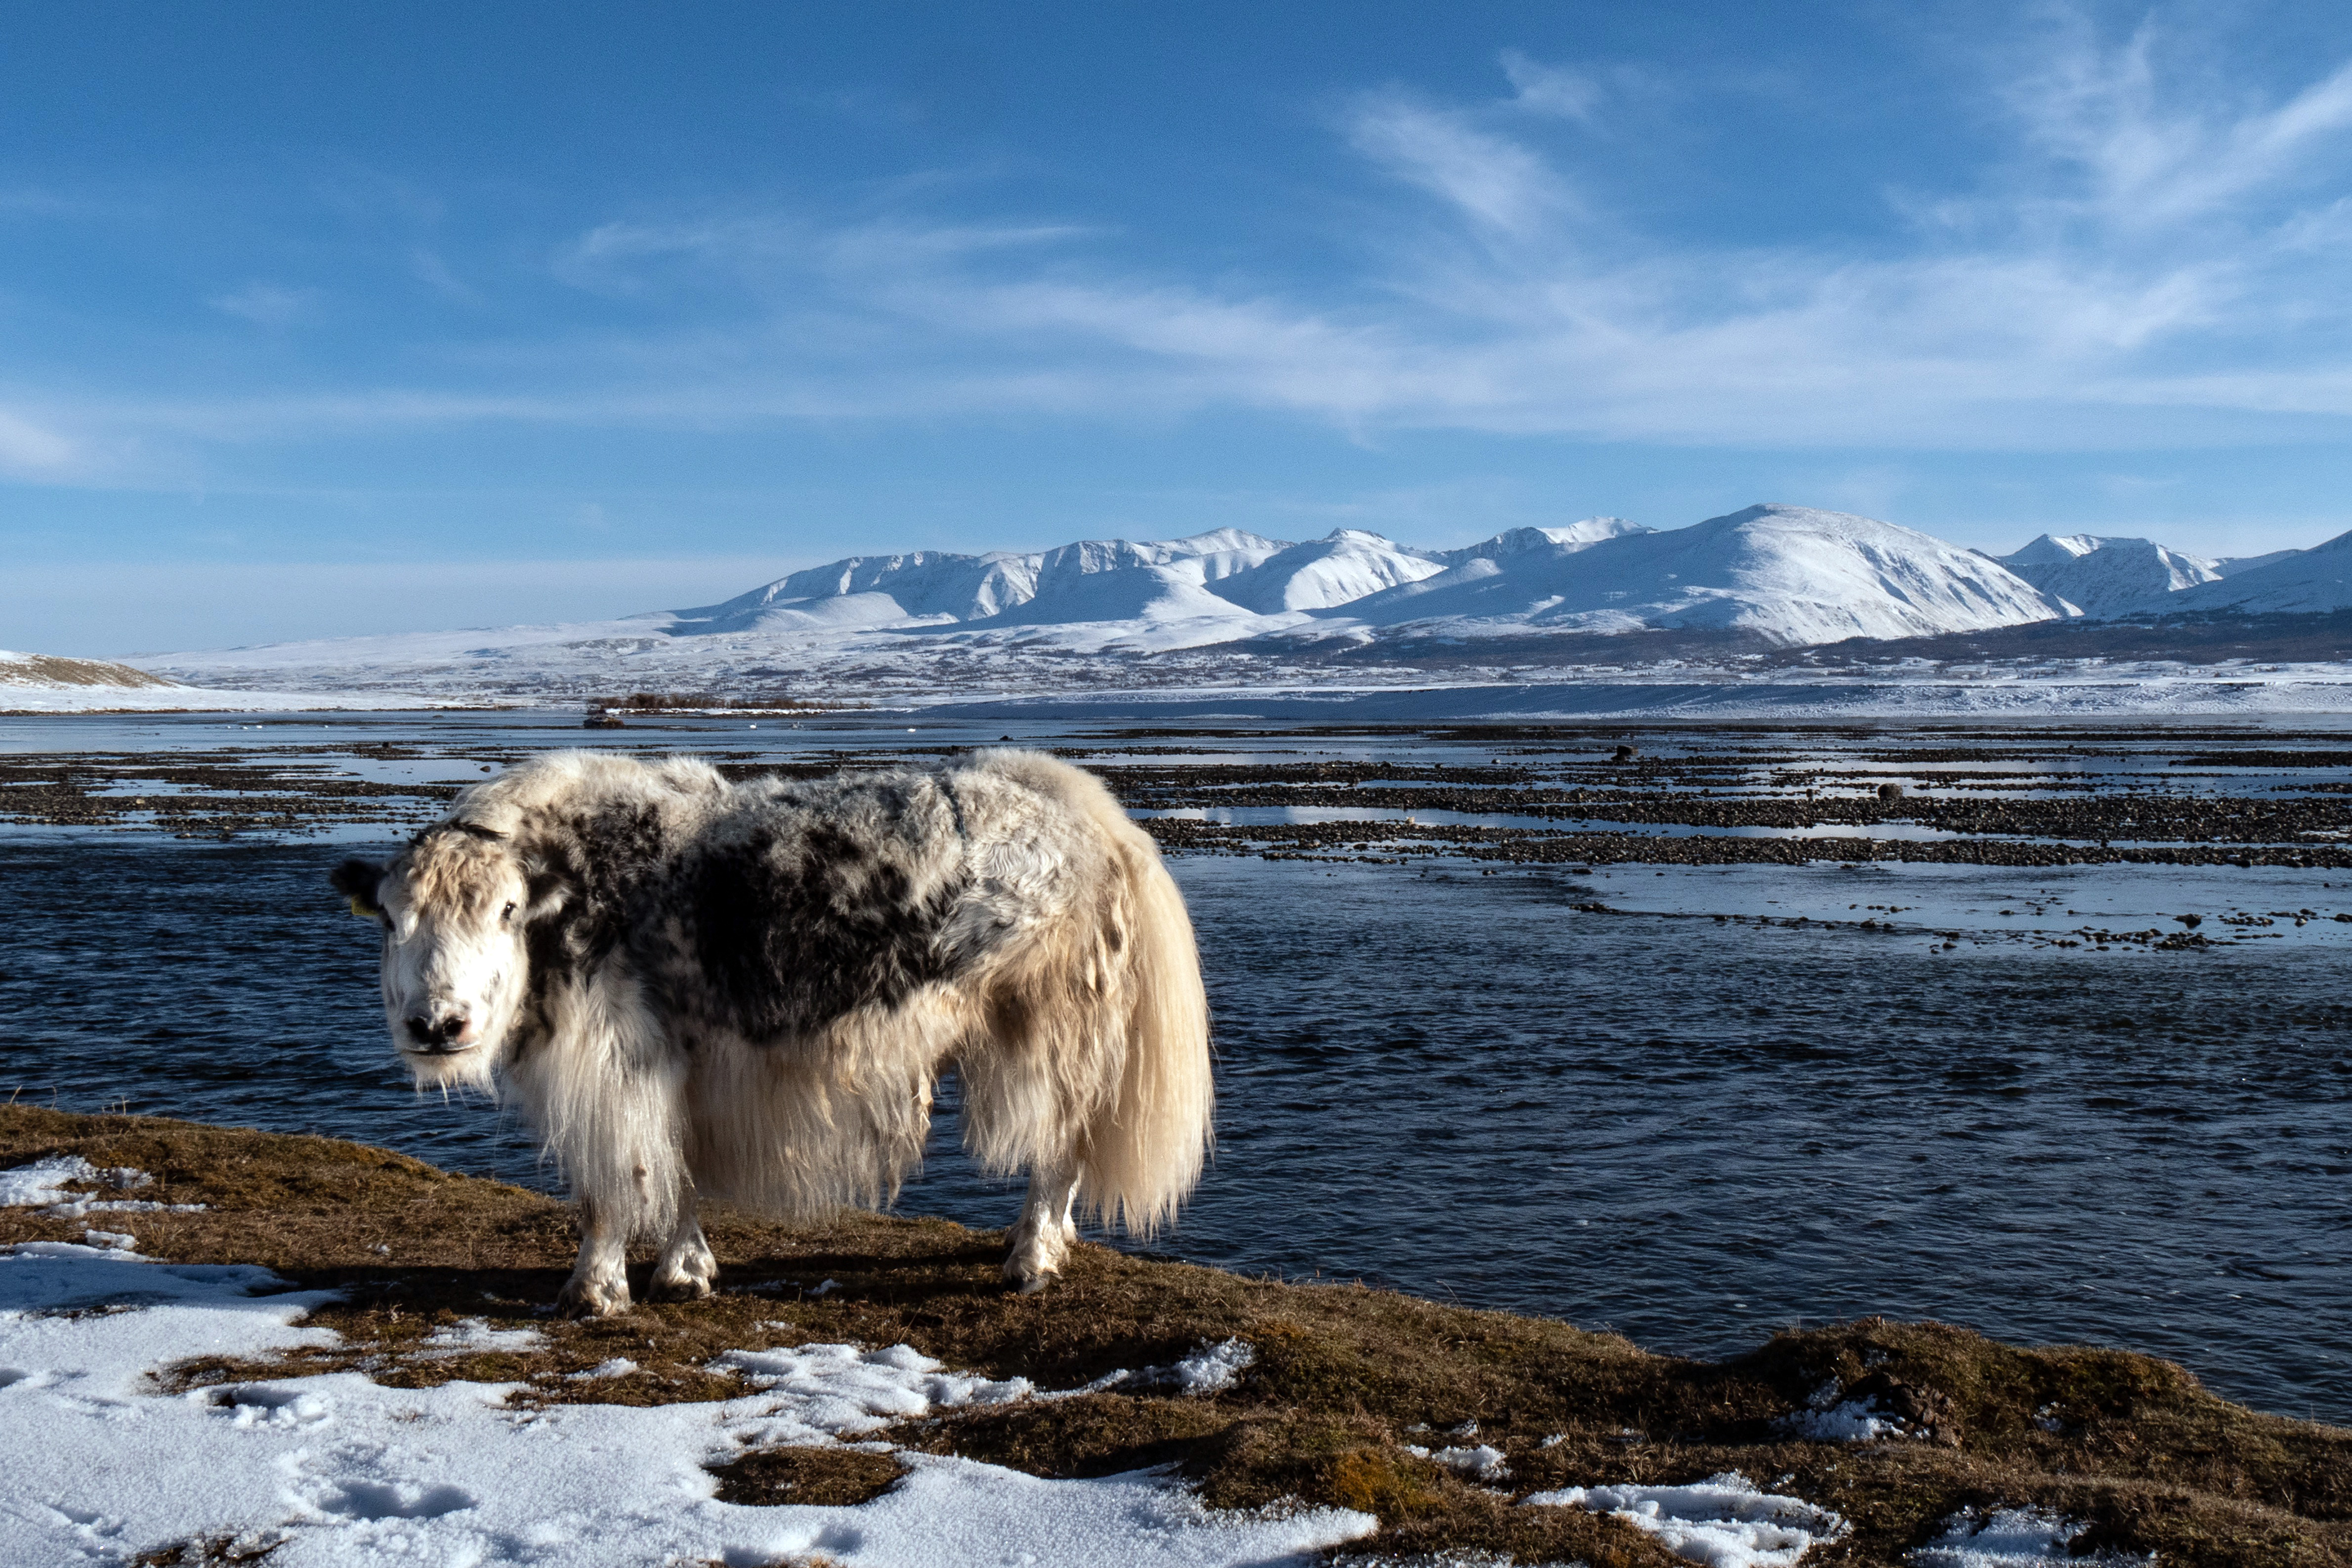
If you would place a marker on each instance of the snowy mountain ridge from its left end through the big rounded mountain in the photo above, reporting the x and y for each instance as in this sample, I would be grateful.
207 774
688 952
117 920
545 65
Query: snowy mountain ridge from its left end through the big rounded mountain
1777 572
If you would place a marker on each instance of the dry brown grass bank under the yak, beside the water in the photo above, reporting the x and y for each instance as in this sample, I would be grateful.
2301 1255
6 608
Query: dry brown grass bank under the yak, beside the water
1344 1381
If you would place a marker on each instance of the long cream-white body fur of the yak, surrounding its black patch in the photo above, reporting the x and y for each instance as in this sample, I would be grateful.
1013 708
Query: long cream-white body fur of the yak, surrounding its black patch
1076 1017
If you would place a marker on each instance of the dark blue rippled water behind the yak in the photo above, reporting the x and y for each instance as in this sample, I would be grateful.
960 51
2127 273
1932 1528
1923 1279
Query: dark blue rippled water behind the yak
1690 1104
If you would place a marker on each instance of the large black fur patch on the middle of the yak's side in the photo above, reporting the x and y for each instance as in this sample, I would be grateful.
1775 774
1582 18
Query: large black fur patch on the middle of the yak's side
815 911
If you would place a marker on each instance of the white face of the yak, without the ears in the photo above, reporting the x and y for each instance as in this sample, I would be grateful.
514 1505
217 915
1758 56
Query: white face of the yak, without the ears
453 977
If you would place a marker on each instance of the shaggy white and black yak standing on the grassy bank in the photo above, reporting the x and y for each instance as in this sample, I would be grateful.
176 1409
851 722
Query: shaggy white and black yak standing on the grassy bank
747 991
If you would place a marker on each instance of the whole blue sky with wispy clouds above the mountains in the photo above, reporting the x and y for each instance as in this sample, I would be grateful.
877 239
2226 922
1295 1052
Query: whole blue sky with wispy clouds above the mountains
319 319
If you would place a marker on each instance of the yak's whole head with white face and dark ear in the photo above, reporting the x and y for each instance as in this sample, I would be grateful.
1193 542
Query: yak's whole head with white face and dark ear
455 909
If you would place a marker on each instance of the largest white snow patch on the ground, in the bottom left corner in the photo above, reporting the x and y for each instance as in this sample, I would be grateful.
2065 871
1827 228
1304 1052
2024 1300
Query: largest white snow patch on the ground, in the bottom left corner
345 1473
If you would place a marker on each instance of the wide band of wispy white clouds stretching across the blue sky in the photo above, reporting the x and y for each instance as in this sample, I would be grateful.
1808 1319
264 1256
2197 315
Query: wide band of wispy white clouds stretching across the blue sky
2151 257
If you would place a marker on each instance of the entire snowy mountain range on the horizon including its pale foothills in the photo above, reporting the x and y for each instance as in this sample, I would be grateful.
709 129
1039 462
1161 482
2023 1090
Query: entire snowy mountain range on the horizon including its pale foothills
1085 612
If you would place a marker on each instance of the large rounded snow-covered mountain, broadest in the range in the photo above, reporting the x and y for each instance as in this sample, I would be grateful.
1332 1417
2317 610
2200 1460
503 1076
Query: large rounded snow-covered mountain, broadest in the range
1786 575
